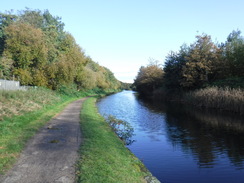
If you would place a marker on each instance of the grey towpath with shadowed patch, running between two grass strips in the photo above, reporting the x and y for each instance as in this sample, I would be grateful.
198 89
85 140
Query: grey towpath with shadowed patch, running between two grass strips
51 155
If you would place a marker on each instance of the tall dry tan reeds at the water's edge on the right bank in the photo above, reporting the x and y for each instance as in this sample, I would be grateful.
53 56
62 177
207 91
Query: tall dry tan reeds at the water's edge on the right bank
220 98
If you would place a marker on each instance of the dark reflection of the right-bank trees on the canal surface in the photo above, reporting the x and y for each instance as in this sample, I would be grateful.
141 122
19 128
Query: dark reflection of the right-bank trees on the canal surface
207 134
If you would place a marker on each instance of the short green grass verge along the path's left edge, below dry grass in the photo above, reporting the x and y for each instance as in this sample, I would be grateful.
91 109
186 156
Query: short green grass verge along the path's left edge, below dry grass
16 130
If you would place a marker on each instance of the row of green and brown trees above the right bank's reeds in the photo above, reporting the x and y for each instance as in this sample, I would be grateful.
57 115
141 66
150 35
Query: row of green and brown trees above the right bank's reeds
201 64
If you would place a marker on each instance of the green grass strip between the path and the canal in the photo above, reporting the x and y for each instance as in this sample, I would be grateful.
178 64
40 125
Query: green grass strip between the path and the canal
104 158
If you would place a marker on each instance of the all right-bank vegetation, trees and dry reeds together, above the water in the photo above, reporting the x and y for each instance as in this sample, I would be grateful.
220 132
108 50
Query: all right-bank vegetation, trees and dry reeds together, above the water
205 74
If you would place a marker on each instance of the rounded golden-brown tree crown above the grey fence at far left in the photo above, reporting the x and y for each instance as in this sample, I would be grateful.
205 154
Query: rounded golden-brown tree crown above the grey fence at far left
25 45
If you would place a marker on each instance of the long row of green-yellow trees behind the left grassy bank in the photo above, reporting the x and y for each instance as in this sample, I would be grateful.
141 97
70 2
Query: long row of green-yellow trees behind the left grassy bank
35 49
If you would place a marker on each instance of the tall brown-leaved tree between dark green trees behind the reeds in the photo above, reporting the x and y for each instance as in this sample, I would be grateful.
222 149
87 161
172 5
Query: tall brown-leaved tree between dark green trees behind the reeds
199 66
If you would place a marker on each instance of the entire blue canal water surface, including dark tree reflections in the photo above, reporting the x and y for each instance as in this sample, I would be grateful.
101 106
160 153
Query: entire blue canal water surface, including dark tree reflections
179 144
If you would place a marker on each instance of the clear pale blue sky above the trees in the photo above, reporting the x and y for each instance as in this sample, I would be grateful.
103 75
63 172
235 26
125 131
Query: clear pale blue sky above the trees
124 35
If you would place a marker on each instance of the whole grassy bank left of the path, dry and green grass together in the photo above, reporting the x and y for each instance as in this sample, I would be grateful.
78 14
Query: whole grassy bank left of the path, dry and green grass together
22 113
